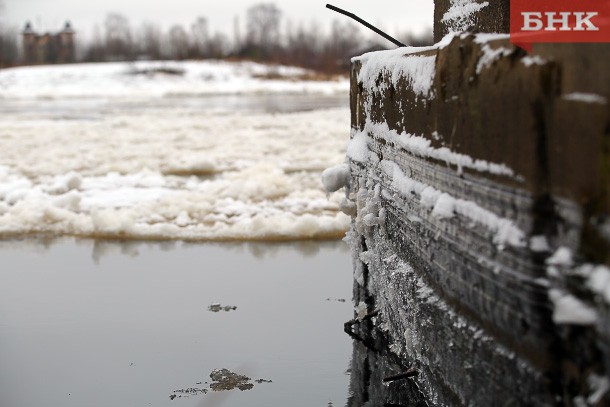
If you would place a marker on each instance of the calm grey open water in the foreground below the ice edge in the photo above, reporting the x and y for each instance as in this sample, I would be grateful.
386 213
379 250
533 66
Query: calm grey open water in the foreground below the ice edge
86 323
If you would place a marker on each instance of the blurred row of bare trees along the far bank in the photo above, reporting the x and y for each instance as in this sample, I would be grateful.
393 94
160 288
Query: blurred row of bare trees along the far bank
267 38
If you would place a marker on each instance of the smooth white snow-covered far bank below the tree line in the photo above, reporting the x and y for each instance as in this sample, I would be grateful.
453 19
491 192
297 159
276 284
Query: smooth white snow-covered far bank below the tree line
117 80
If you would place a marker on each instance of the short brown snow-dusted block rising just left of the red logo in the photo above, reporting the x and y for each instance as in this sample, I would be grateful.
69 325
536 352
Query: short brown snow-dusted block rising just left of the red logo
493 16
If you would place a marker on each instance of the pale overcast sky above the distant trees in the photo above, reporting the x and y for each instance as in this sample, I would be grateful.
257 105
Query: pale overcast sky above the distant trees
49 15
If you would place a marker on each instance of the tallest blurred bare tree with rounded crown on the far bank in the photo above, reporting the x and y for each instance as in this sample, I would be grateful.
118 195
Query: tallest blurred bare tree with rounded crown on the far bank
263 29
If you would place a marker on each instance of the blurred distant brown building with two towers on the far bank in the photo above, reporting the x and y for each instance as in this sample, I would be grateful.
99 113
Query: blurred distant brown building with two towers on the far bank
48 48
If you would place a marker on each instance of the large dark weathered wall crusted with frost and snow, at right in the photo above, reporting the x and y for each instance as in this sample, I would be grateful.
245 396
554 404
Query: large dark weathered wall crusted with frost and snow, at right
473 315
